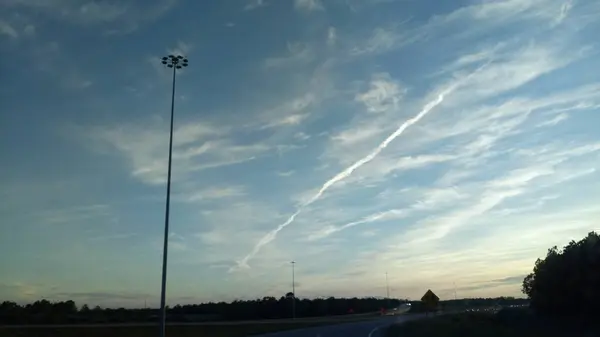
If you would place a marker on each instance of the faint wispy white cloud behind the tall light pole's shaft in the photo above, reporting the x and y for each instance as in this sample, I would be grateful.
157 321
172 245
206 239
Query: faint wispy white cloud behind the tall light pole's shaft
196 146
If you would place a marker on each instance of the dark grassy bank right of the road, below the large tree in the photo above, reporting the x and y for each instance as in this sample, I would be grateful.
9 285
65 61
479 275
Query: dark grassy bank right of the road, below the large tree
519 324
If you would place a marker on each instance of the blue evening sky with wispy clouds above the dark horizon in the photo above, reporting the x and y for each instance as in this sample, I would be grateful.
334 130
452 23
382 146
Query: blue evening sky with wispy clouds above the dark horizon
448 144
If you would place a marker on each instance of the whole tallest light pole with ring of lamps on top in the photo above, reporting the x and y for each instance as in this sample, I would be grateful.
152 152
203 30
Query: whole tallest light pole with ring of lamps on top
175 62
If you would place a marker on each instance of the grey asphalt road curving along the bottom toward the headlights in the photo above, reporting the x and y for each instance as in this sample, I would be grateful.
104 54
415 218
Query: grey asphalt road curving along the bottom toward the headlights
372 328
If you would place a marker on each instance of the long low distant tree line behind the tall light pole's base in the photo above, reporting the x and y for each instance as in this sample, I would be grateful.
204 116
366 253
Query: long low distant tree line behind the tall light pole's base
45 312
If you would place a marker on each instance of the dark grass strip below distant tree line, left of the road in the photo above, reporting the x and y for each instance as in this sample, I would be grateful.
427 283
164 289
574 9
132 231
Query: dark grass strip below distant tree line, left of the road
152 331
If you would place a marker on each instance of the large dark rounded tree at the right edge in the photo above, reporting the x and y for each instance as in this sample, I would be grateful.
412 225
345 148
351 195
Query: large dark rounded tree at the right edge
567 281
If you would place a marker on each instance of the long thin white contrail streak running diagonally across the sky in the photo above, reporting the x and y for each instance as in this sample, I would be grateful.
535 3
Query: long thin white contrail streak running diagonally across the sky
348 171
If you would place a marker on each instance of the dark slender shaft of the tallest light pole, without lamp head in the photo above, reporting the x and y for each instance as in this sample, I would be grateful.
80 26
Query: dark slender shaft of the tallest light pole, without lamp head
163 290
